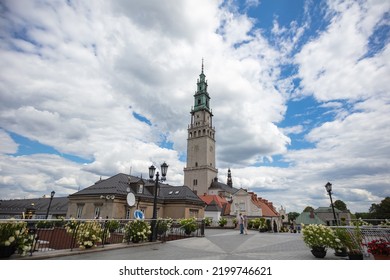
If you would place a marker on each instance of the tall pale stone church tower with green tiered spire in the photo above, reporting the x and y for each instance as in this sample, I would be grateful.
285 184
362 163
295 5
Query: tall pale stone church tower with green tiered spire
200 170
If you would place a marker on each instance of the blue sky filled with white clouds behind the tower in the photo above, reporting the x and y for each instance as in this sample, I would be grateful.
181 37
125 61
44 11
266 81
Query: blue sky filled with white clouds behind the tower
299 90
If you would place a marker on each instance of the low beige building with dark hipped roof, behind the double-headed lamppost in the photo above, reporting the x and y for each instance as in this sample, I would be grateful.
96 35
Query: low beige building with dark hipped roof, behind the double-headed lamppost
107 199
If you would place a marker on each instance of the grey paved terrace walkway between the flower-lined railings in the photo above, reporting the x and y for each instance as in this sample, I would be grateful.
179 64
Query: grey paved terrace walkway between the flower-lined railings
218 244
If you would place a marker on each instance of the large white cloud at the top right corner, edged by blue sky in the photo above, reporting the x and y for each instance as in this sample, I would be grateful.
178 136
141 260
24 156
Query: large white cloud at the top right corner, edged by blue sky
334 66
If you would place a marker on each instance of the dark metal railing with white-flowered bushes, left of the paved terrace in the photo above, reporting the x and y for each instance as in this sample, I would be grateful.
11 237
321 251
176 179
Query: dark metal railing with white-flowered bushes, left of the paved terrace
62 234
